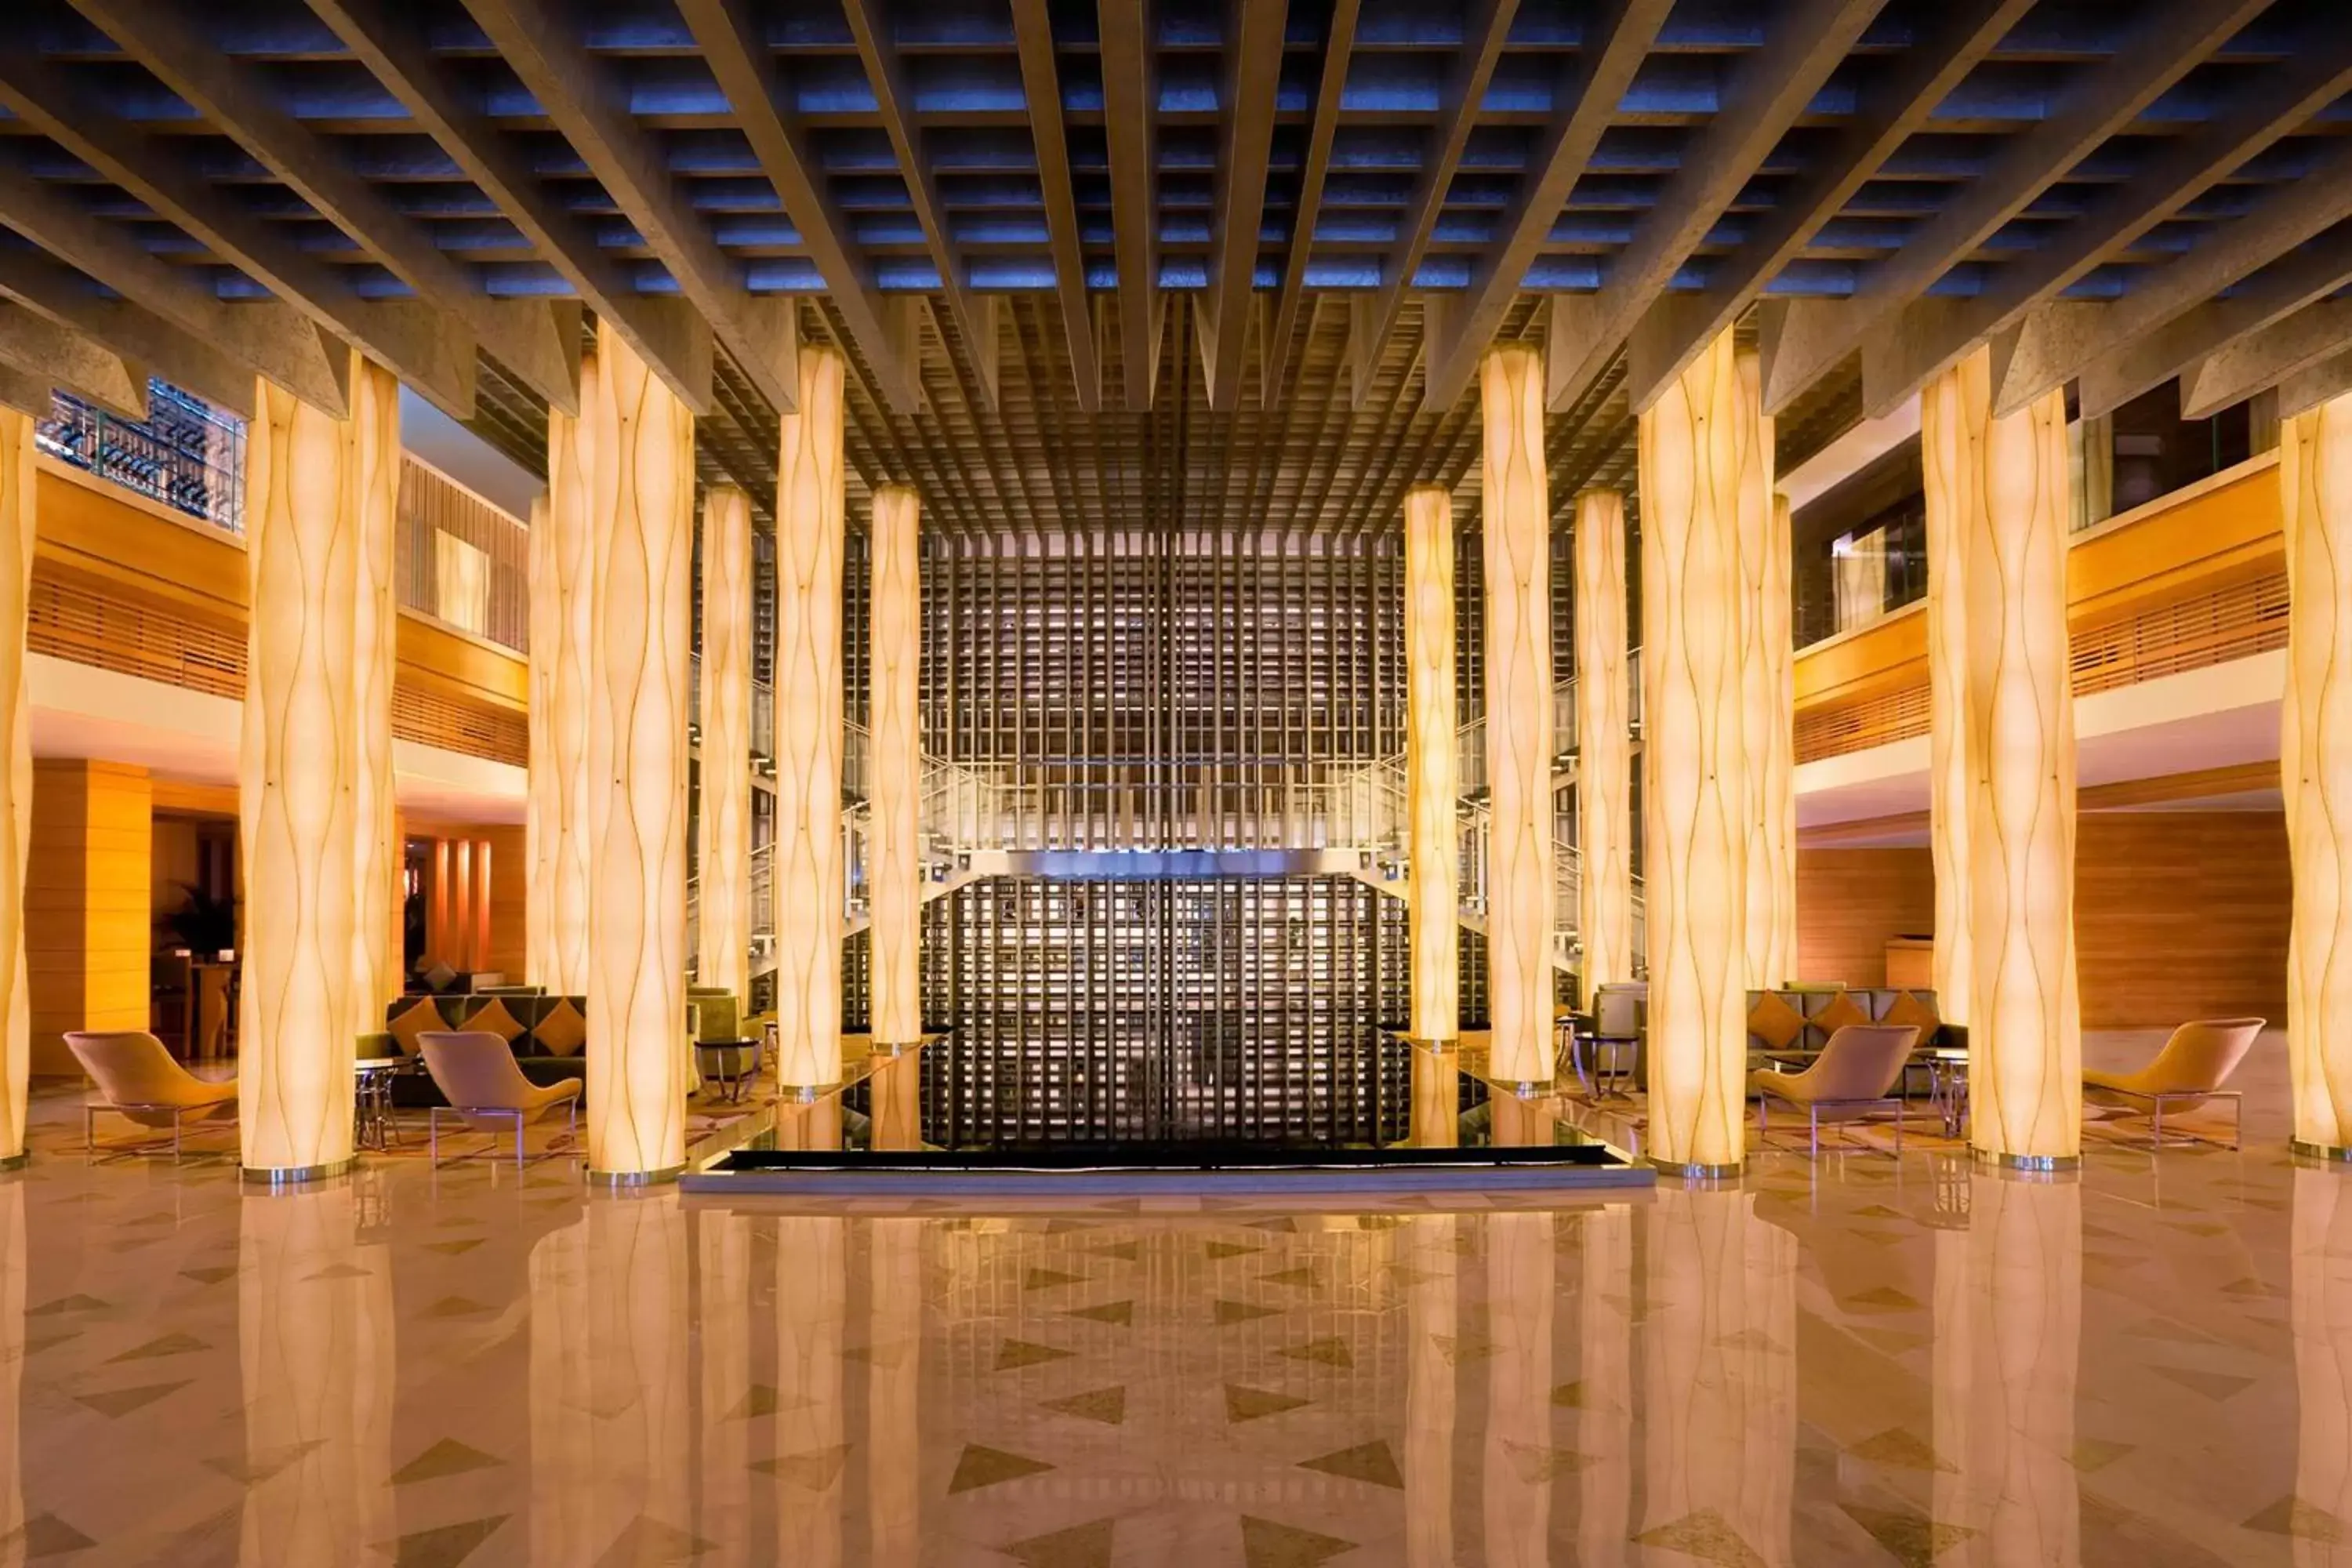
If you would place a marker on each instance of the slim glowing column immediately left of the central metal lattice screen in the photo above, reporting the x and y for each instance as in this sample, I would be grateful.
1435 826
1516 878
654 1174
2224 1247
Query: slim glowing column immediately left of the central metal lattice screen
895 862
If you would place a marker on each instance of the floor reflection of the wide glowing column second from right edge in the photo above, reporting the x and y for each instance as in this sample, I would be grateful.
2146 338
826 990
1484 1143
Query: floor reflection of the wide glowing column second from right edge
2012 1374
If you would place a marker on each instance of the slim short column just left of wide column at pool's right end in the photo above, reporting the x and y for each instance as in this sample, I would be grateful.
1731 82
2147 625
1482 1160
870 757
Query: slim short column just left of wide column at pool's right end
1603 742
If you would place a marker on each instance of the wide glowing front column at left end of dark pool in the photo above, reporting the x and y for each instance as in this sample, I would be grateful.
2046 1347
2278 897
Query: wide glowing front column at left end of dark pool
641 521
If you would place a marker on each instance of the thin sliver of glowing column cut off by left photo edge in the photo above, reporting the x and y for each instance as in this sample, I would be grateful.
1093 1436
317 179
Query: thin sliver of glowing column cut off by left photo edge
18 485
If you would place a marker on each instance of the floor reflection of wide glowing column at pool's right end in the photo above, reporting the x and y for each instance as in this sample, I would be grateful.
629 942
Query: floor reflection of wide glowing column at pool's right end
1720 1388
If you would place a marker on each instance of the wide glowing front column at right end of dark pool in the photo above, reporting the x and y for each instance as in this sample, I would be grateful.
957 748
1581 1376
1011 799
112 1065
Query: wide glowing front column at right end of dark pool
1695 779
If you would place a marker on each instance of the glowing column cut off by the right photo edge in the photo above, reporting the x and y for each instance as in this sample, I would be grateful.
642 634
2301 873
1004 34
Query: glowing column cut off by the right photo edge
2316 768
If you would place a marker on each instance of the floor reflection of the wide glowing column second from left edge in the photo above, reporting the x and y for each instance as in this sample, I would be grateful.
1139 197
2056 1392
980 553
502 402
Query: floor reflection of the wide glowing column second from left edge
316 1353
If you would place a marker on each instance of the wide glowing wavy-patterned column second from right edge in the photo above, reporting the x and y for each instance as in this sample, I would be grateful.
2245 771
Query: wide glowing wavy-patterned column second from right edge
2026 1019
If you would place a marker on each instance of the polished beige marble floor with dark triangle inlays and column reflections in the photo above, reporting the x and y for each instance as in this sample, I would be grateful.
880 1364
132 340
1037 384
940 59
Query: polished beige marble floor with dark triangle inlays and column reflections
1855 1360
